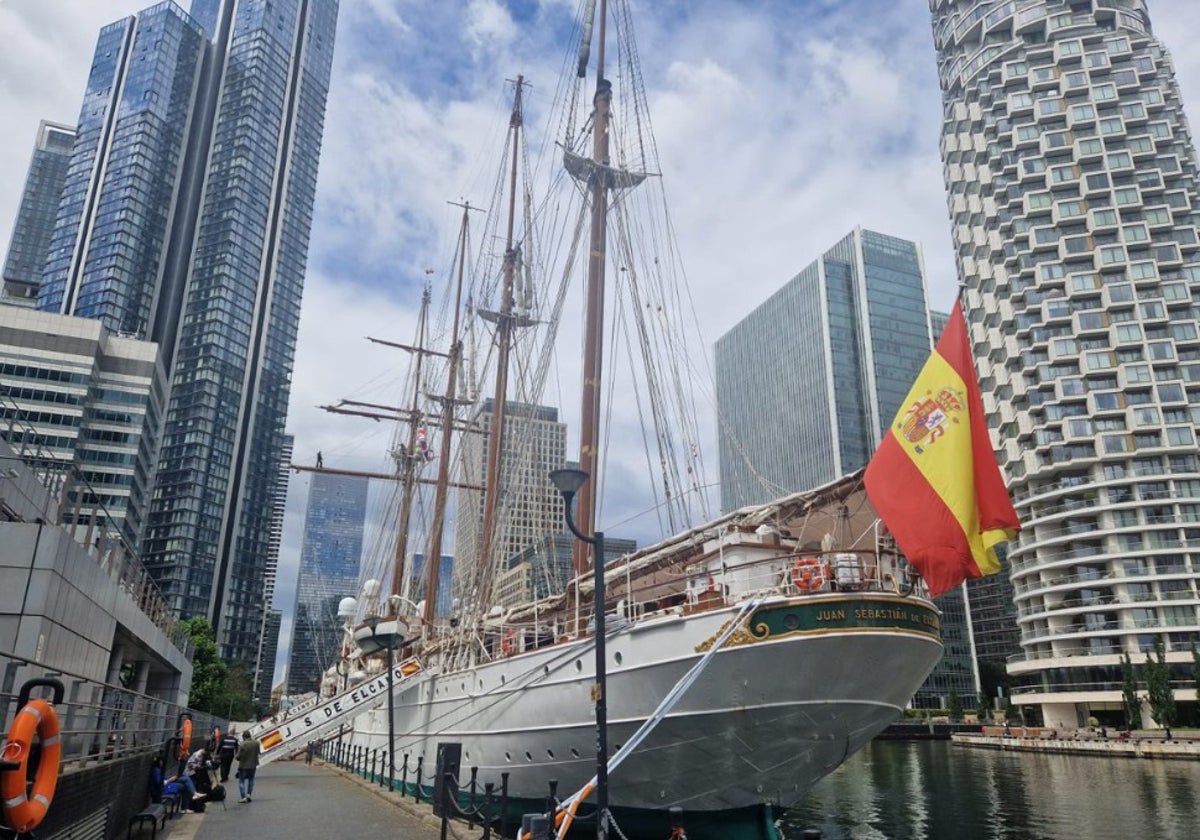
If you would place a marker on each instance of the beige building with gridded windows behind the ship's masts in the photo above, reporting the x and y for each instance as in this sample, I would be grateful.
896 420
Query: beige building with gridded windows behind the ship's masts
530 508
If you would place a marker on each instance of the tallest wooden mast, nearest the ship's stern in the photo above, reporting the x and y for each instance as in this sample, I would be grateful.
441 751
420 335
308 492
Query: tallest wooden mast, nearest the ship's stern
593 351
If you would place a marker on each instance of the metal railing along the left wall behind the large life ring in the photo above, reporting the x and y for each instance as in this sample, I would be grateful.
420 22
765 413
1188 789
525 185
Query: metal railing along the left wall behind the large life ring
99 722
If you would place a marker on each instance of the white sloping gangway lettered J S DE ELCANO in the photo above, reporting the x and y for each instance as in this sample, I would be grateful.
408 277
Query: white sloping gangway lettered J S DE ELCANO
280 739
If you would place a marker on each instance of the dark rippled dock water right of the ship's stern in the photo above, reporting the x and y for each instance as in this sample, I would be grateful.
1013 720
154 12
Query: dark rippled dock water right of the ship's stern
932 790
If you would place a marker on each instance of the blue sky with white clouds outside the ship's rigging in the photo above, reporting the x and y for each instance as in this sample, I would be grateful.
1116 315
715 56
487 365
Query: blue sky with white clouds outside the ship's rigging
781 125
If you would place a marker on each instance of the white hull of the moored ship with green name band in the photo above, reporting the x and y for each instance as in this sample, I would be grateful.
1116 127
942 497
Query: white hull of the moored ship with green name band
767 719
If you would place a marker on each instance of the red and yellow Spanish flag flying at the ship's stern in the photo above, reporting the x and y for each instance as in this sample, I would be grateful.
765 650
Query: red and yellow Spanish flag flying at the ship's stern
934 481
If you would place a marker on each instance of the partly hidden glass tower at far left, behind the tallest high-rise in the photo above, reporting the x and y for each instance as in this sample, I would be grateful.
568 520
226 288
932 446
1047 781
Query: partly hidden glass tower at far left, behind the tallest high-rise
35 218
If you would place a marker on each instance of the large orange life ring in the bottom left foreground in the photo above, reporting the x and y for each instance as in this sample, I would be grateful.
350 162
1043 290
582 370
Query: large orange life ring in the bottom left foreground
25 813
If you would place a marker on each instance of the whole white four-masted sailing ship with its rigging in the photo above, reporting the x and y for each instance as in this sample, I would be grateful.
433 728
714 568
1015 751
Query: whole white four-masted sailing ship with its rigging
745 657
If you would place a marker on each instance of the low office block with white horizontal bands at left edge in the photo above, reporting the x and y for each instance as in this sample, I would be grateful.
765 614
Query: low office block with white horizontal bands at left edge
82 407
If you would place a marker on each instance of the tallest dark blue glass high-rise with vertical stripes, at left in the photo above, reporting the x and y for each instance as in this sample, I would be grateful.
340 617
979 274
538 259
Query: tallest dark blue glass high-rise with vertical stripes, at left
185 219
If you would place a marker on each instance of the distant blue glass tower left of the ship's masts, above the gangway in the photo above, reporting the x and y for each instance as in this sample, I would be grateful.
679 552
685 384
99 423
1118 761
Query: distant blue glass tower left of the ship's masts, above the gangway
331 561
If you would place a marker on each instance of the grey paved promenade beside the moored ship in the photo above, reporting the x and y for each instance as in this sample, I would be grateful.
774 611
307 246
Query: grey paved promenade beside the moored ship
295 801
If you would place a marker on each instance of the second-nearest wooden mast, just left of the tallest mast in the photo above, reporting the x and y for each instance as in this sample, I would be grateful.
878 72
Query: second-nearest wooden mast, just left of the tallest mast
505 344
